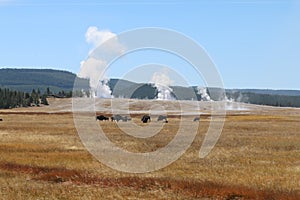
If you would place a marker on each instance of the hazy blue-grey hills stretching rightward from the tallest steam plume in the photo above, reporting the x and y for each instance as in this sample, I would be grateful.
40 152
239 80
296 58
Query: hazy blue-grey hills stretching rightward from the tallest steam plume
283 98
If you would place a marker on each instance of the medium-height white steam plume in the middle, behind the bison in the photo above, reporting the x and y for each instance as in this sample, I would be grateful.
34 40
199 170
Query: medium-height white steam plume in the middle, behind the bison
162 82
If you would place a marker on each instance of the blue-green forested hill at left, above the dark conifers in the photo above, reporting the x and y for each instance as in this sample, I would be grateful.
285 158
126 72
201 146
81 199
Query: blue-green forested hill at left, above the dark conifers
27 79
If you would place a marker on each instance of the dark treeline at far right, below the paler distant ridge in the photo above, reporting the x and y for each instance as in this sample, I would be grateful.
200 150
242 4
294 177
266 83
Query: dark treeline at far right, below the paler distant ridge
265 99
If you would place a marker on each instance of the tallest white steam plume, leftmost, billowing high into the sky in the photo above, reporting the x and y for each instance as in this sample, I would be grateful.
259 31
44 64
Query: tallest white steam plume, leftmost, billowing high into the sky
93 68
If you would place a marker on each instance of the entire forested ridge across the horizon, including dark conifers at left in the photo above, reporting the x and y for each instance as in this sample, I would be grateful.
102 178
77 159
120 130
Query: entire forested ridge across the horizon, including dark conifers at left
30 87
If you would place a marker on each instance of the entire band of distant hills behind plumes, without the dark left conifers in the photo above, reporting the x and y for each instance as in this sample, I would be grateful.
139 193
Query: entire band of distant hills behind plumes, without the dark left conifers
27 79
